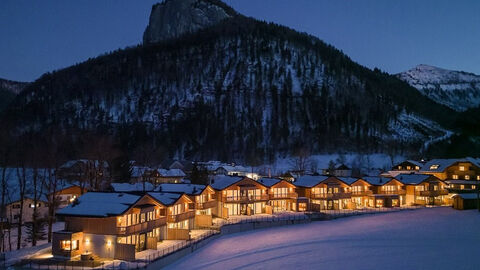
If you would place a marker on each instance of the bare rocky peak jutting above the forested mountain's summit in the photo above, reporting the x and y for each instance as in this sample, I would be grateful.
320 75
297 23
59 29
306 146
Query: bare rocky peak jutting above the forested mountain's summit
174 18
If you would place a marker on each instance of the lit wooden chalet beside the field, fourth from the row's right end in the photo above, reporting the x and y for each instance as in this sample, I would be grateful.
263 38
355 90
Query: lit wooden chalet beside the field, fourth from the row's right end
324 192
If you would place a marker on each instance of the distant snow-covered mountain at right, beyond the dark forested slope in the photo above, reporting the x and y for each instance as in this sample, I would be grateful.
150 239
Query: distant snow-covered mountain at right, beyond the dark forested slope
456 89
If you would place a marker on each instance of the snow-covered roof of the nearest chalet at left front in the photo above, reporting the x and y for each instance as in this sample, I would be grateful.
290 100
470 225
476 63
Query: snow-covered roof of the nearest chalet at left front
100 204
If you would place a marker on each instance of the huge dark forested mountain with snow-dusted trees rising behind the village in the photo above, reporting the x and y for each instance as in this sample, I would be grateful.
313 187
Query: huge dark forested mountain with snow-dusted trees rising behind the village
238 89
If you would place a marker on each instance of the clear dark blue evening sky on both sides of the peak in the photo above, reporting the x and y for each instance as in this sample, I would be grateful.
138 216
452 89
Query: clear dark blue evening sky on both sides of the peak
37 36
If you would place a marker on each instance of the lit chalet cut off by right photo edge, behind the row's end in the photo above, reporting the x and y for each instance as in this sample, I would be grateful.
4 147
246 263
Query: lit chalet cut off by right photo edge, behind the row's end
453 169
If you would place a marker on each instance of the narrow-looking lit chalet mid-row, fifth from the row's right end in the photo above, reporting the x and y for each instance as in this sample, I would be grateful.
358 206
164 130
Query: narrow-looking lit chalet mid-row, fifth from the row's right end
281 193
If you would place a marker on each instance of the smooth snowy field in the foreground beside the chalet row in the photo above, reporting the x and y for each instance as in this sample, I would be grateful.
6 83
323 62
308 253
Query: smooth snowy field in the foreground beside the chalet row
436 238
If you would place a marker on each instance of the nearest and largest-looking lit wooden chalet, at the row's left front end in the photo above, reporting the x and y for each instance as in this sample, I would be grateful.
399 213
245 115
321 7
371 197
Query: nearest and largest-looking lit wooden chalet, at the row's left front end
110 225
